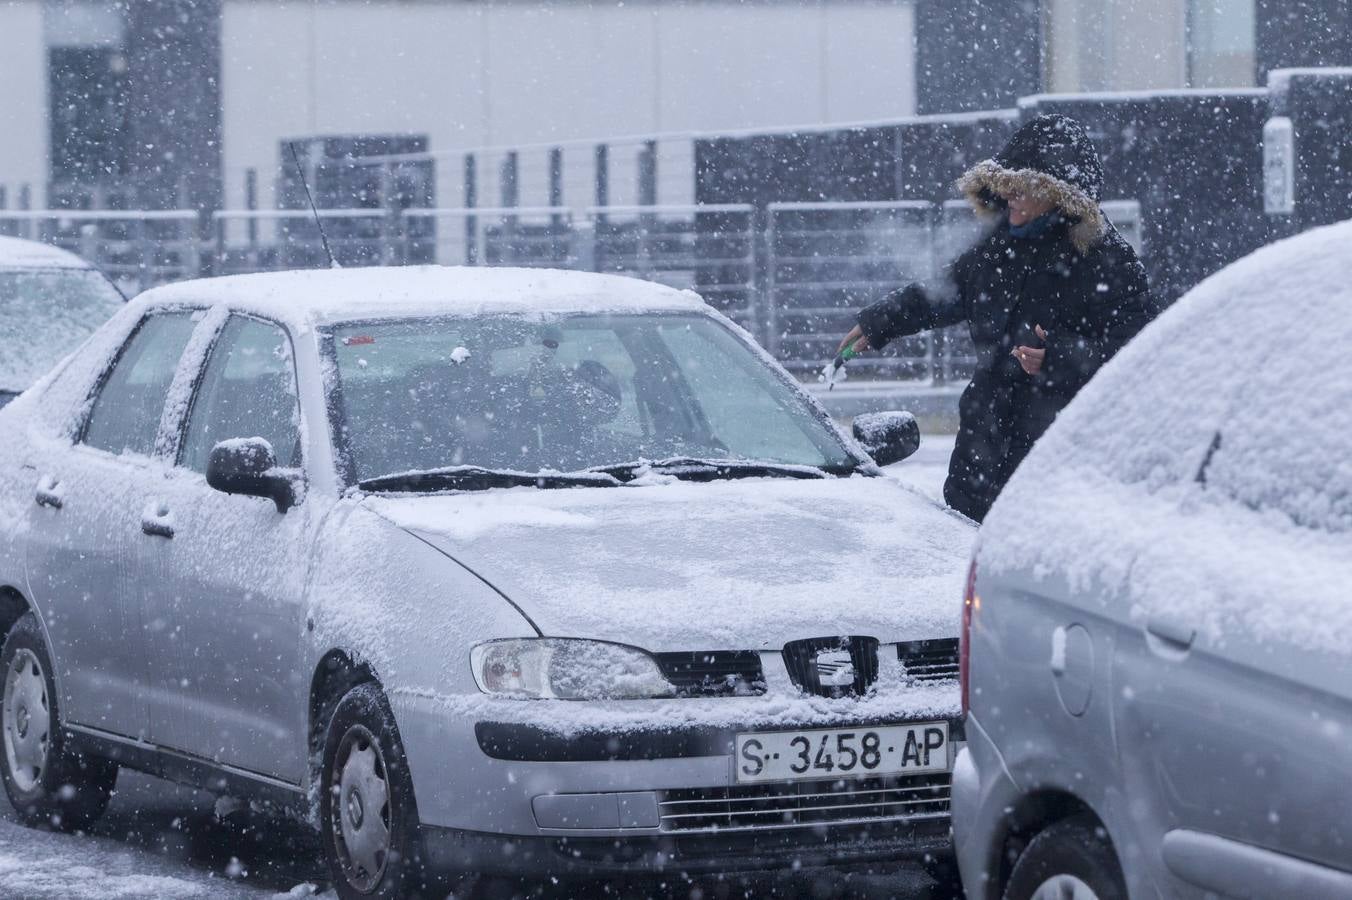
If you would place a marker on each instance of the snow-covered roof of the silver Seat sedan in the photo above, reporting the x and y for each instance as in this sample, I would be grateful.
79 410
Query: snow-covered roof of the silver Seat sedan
336 295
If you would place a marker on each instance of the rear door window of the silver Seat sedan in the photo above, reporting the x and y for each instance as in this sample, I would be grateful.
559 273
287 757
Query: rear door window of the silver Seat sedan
126 414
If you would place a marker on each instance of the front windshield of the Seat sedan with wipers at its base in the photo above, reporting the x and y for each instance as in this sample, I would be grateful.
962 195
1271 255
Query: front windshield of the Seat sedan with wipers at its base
516 398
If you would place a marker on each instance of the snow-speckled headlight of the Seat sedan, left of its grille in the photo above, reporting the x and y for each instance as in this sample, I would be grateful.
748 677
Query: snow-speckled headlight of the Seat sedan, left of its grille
567 670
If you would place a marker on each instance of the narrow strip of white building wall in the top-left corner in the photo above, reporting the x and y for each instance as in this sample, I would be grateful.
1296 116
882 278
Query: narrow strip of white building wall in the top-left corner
24 101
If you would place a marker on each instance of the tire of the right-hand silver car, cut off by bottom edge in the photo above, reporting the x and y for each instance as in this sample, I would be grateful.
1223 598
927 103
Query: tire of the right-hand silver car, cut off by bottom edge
1071 860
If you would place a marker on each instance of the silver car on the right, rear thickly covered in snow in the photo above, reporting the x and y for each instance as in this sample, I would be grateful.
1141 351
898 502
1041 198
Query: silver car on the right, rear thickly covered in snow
1159 632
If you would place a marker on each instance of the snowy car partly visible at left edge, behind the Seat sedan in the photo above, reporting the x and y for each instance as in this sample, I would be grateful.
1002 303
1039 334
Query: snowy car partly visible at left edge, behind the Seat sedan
51 301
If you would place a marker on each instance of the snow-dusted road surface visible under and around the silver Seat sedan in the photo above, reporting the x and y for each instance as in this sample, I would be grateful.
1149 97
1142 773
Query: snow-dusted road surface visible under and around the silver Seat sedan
160 841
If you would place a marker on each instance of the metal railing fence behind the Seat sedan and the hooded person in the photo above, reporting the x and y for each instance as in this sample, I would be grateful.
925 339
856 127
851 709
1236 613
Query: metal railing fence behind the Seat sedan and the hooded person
793 274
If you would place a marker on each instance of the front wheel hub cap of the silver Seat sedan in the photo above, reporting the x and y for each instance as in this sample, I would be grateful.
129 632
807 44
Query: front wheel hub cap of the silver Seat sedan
363 811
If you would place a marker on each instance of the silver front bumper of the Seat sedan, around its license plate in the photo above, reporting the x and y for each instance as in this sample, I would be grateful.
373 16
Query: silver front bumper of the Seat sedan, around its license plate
521 798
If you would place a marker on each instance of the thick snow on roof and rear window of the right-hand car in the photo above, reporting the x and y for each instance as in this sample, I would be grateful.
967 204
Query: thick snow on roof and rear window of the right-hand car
1204 474
